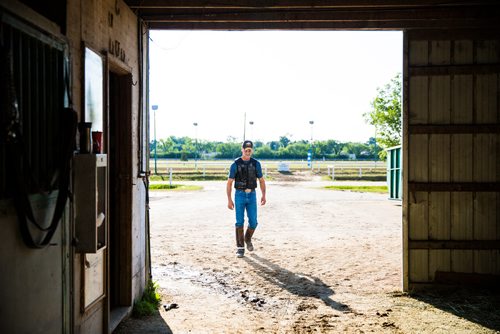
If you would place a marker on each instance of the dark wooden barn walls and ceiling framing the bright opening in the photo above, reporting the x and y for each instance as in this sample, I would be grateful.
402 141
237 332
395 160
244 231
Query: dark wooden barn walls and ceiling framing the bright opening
75 61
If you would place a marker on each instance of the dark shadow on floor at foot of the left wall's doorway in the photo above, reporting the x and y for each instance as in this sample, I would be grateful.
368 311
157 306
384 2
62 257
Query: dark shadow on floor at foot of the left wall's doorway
154 324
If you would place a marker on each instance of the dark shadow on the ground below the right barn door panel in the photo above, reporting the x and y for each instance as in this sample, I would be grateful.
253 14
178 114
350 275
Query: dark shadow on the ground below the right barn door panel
480 306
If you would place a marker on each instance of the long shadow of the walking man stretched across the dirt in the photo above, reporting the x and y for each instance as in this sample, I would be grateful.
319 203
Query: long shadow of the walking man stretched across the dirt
299 284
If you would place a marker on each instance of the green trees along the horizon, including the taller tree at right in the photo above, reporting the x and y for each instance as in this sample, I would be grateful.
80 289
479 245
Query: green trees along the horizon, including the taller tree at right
385 115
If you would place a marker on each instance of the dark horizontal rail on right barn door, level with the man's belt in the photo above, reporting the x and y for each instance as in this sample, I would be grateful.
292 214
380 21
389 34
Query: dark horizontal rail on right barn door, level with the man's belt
454 186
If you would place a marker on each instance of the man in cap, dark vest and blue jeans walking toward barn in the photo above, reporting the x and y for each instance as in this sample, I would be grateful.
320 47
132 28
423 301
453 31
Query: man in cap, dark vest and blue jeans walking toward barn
244 173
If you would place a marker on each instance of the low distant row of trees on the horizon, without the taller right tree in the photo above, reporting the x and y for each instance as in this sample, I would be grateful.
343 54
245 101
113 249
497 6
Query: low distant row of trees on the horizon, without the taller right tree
186 148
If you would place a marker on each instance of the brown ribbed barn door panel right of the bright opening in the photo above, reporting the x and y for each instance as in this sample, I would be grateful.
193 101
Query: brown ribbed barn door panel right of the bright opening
452 153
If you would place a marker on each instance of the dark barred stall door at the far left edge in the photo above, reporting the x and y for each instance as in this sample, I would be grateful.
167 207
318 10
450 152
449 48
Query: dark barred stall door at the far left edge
34 279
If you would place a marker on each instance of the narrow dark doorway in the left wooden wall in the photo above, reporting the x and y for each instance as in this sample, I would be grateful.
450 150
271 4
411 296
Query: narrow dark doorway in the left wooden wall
120 167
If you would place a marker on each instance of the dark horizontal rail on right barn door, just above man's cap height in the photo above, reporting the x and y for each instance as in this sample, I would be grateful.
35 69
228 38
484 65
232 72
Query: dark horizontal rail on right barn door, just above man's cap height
454 128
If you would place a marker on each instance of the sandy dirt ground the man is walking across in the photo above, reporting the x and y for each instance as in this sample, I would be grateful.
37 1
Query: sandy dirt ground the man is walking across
324 262
